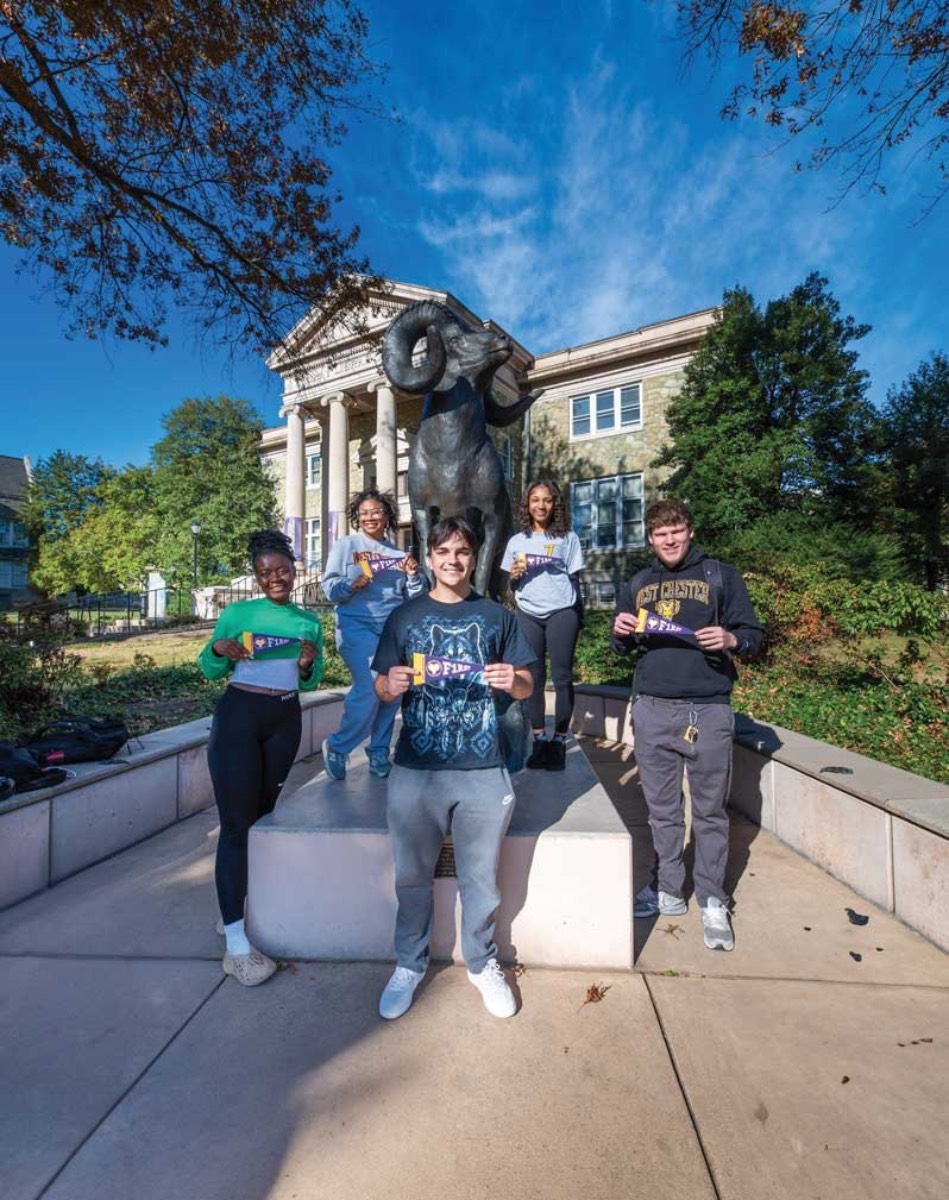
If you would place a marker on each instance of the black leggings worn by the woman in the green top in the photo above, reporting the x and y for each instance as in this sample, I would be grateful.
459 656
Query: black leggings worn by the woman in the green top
254 743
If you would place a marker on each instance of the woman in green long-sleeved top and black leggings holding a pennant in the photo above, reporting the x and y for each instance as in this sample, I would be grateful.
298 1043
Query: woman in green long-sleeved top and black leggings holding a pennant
272 650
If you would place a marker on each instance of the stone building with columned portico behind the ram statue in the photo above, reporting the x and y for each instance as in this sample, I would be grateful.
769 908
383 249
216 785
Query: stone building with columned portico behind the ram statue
597 428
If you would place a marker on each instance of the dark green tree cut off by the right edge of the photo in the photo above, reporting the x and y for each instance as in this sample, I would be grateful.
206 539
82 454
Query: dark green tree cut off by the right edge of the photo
917 423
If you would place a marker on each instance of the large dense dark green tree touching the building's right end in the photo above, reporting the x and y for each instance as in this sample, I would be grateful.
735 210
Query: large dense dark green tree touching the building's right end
773 416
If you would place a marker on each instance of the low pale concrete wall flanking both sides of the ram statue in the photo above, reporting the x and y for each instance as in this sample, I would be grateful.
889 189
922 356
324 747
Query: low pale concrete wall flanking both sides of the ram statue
880 830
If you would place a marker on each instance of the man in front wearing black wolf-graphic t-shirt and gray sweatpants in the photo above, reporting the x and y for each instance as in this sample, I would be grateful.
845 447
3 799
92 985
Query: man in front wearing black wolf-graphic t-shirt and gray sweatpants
458 661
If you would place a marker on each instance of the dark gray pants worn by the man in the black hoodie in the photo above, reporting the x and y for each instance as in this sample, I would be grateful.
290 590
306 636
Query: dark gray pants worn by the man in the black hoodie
662 755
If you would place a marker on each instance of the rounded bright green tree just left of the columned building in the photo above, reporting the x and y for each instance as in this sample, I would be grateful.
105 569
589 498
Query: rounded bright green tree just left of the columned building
208 471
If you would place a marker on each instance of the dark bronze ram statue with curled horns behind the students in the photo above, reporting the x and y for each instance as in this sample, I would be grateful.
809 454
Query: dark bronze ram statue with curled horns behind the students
454 467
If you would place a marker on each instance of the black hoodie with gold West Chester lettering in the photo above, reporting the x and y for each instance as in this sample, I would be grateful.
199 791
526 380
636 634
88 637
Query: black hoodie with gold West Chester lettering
675 667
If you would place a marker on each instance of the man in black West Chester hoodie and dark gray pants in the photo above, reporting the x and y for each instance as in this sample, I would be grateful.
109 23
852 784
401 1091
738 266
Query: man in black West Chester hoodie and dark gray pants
682 709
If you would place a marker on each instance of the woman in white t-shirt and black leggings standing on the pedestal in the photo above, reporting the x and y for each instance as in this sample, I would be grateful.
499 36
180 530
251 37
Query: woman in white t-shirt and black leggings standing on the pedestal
544 562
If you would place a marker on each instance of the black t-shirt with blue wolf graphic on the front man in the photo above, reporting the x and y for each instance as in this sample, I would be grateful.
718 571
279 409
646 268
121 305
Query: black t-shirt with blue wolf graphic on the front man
451 713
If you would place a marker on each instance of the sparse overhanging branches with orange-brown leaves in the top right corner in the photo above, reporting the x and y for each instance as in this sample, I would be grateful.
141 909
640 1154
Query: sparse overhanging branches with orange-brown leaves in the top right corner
862 79
